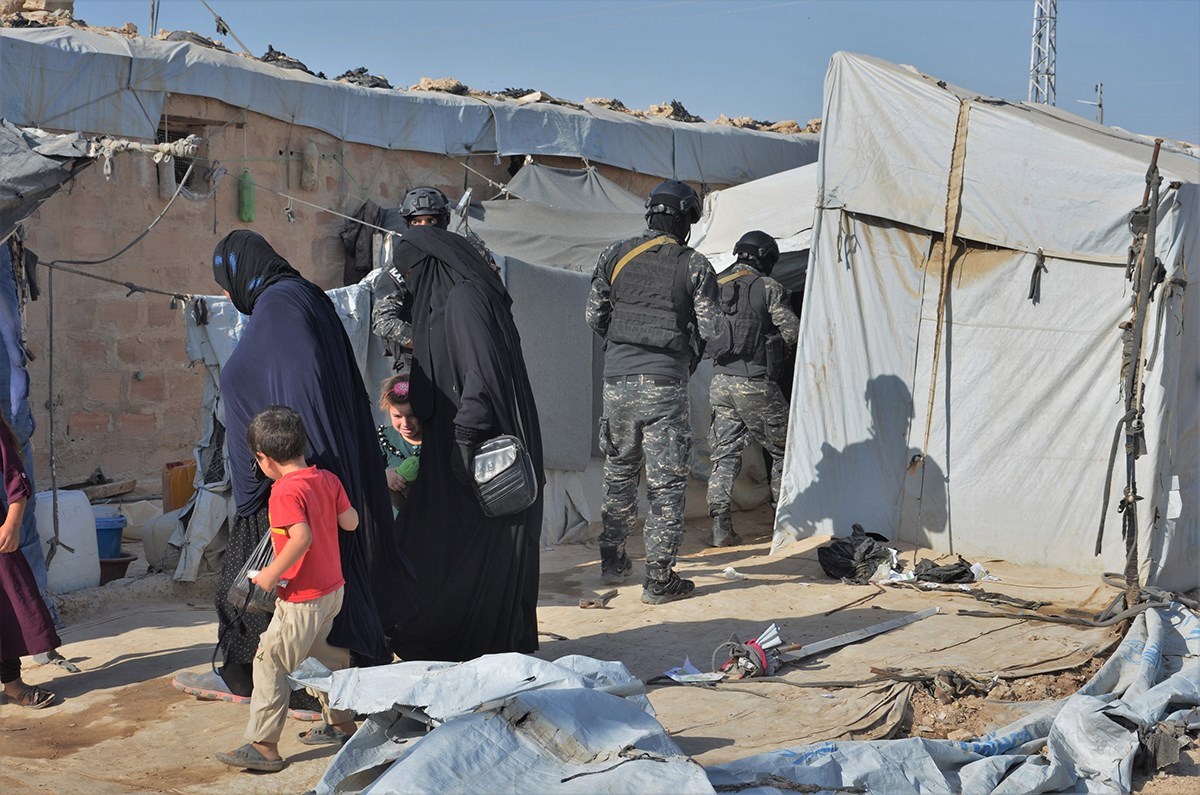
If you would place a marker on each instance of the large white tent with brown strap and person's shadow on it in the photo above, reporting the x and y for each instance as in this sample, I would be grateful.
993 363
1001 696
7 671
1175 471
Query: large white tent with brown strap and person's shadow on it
976 414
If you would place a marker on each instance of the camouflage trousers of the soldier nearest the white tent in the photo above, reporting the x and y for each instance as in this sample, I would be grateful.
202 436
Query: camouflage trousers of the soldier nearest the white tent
743 410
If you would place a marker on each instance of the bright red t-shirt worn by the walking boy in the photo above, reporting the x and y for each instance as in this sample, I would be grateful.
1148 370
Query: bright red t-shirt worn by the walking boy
315 498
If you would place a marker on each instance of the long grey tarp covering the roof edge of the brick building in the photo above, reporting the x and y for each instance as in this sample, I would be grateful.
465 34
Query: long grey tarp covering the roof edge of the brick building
107 83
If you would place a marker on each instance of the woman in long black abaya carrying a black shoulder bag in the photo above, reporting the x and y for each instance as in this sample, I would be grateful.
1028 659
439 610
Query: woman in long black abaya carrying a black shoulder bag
477 576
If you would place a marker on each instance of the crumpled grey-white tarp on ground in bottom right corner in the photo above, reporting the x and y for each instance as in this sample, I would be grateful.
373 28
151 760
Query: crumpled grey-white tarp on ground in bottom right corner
1091 738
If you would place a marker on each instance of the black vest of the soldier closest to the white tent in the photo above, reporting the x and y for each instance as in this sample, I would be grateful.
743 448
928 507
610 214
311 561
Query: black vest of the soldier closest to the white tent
749 345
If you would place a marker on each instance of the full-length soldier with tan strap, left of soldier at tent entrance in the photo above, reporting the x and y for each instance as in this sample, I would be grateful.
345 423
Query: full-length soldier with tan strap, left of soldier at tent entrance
653 303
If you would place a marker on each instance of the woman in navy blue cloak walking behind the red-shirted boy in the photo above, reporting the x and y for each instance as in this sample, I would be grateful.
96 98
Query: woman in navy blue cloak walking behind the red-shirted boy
295 352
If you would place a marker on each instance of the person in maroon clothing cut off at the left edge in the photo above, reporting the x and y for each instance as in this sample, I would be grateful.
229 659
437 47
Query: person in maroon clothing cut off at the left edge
26 625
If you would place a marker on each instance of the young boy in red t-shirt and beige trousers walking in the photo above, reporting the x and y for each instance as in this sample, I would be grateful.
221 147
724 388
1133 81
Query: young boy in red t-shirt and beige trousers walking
307 509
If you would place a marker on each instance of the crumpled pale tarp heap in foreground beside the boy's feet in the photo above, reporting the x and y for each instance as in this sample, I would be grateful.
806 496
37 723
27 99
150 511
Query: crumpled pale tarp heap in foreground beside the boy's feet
503 724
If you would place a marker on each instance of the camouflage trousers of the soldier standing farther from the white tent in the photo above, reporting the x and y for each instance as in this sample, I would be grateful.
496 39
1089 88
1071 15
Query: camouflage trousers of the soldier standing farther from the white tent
647 421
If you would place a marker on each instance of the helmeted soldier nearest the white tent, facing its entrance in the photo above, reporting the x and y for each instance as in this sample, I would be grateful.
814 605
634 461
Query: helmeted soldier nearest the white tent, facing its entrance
748 357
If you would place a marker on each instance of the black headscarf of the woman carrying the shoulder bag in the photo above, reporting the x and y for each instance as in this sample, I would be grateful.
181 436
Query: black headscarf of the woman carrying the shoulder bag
433 261
